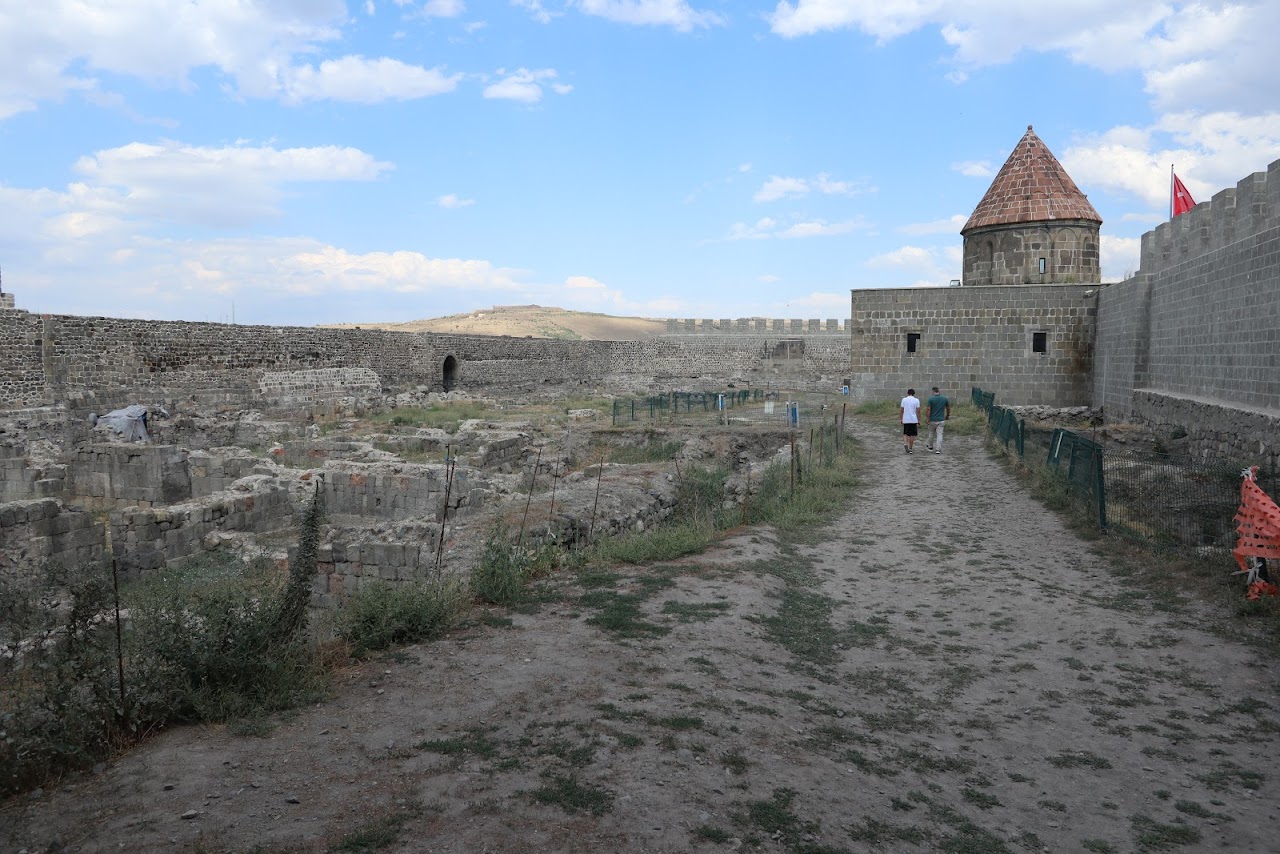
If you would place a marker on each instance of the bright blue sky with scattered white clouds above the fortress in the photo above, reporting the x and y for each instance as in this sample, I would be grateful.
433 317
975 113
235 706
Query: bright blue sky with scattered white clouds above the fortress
303 162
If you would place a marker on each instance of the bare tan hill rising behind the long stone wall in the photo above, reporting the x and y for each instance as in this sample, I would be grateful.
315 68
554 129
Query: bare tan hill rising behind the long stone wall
523 322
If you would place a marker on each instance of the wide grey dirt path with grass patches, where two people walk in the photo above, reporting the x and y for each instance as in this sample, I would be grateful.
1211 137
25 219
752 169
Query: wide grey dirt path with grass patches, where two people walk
944 669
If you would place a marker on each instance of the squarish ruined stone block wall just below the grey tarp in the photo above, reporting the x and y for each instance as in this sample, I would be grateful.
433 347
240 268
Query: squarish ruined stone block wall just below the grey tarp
107 477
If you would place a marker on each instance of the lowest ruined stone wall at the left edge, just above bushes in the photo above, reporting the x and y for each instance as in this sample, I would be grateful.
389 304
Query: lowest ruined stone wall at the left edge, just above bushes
36 532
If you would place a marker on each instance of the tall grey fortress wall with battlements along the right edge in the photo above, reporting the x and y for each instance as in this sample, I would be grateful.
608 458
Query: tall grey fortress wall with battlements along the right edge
1192 341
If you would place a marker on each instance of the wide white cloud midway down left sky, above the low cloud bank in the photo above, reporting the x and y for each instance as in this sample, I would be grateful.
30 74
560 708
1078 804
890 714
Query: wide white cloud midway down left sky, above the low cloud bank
218 188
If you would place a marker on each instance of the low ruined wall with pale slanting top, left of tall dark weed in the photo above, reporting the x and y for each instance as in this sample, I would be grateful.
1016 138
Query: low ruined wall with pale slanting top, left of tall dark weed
148 540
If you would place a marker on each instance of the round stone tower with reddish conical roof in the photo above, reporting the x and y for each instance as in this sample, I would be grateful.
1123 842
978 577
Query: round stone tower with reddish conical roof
1034 226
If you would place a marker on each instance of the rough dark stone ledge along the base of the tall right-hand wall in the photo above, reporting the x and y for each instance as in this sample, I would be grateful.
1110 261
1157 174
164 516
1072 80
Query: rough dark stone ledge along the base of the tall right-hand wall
1214 430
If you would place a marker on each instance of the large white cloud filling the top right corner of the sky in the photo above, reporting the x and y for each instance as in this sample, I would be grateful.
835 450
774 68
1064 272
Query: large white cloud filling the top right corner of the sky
1215 54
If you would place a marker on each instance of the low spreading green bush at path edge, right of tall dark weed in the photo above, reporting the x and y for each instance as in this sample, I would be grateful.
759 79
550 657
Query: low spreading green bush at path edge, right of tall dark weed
383 615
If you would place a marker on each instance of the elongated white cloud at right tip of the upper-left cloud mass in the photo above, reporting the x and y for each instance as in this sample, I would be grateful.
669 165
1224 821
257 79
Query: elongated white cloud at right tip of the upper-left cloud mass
365 81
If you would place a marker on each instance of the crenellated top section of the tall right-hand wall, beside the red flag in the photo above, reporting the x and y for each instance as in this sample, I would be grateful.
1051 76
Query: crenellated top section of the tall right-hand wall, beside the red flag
1232 216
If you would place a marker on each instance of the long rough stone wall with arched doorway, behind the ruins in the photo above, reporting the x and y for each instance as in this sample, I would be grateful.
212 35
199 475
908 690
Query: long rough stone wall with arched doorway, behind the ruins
100 364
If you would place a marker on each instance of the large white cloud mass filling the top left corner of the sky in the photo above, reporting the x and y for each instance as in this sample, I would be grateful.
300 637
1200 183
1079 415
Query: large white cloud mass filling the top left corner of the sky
56 48
